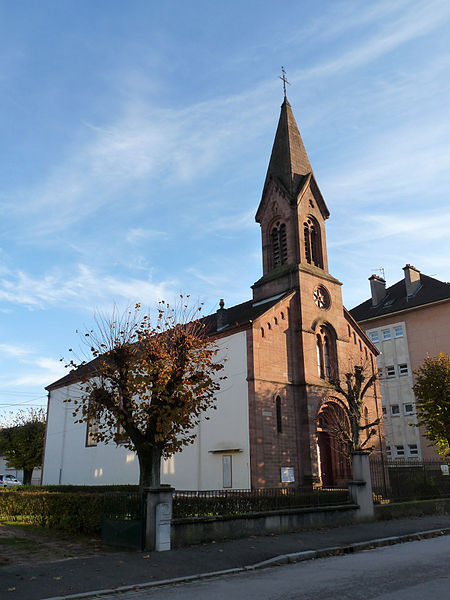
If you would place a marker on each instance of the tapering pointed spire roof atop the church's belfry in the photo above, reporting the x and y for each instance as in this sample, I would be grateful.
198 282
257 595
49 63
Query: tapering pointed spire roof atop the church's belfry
289 162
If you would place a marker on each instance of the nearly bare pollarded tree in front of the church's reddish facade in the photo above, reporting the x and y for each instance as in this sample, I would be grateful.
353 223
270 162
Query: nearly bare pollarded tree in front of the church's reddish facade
353 386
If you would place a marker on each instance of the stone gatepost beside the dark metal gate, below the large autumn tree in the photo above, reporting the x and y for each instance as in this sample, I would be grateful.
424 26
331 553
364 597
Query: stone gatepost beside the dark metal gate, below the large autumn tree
158 518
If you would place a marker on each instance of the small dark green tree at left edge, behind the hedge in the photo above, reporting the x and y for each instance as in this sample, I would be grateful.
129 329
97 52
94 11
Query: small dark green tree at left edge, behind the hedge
22 441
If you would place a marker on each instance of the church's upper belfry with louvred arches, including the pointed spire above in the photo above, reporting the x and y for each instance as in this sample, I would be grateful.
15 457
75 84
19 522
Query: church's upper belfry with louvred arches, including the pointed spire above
292 214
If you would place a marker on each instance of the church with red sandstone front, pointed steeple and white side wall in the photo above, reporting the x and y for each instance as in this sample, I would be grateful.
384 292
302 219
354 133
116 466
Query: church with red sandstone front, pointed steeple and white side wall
276 416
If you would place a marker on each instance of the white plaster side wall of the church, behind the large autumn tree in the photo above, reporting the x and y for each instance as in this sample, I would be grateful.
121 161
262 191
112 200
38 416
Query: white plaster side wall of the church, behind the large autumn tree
68 460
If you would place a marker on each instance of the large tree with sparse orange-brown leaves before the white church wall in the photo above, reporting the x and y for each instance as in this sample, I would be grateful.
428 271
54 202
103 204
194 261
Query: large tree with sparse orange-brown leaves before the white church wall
148 384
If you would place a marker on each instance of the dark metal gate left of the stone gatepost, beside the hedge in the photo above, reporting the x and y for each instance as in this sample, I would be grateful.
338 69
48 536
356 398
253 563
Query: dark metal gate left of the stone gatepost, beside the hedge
123 522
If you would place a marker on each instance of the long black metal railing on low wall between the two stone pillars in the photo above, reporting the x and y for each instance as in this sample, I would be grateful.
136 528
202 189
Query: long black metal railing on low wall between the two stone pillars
233 502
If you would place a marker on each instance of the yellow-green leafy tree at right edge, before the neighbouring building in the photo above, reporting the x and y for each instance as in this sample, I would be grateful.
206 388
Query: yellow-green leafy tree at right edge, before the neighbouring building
432 390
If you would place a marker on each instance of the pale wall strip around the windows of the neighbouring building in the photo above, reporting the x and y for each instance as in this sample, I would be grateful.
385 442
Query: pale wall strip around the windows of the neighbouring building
396 390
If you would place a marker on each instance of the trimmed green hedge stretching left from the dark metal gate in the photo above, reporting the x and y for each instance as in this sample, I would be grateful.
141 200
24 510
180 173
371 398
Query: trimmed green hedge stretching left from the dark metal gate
74 513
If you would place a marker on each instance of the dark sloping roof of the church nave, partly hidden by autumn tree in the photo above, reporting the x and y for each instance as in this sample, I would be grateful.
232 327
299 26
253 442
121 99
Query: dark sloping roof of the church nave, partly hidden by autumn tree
233 318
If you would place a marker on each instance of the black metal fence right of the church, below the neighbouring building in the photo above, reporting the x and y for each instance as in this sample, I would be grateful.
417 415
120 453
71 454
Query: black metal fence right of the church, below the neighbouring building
401 480
